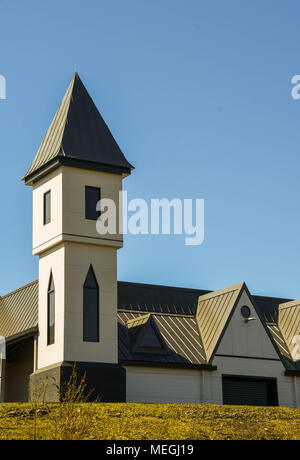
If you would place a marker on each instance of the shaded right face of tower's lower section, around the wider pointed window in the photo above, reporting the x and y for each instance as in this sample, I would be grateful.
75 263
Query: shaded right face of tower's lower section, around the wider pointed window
78 258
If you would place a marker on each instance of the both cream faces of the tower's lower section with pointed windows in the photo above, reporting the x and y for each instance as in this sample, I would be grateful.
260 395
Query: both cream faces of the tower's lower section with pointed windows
69 264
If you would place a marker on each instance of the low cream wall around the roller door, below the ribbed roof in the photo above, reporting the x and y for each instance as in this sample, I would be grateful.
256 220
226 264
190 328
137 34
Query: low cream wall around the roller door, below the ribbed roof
150 385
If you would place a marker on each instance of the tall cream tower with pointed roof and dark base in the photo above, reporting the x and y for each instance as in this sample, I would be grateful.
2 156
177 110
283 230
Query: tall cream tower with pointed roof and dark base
78 163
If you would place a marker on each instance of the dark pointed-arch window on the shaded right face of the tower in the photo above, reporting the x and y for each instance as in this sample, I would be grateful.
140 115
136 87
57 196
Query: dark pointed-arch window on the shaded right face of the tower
91 308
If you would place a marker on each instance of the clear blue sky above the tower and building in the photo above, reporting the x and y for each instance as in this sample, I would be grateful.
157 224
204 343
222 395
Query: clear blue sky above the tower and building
198 96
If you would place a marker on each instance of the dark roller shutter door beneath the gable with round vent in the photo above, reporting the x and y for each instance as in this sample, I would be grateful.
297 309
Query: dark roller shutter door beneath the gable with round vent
249 391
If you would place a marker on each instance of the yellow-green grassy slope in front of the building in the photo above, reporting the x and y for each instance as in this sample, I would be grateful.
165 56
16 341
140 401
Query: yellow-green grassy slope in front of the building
154 421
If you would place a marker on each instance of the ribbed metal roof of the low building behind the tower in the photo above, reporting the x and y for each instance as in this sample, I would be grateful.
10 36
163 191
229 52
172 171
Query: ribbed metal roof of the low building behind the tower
178 323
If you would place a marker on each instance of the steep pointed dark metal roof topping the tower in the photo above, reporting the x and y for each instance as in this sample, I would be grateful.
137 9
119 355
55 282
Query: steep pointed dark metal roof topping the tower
78 136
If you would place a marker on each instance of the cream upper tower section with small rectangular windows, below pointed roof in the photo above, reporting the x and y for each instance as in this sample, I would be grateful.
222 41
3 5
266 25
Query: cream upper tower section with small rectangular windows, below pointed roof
68 222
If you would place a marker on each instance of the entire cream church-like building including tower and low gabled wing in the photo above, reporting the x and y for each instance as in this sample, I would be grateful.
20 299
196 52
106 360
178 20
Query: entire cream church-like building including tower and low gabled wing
136 342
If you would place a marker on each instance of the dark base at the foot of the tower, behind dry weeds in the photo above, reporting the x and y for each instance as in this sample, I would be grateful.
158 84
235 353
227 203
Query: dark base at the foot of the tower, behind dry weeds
106 381
